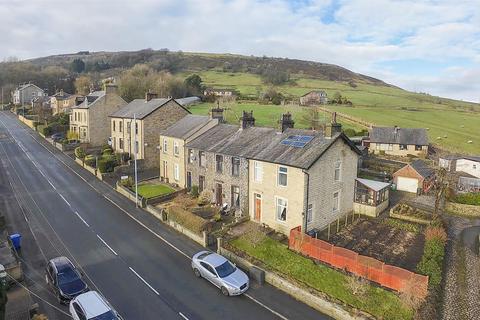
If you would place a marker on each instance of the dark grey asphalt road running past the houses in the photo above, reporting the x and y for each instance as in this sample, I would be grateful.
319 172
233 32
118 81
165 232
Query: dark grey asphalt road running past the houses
141 266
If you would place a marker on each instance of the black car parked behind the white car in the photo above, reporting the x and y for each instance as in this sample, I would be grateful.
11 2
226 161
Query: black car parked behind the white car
65 280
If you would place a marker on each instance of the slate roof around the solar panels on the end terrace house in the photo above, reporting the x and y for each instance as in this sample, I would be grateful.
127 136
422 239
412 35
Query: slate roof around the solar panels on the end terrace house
272 150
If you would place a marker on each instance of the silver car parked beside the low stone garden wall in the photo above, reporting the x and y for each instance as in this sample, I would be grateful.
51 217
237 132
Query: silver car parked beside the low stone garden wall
221 272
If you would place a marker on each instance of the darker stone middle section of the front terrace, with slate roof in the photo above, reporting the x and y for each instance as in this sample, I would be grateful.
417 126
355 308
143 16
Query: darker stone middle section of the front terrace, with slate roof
217 161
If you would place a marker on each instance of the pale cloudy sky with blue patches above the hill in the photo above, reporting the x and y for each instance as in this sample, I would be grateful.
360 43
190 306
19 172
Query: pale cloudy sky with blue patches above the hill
422 45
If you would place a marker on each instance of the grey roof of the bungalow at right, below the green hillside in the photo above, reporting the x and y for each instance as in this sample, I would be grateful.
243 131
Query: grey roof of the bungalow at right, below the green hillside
411 136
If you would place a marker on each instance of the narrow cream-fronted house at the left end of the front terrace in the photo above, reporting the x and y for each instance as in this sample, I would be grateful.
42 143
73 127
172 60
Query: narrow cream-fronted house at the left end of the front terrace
173 160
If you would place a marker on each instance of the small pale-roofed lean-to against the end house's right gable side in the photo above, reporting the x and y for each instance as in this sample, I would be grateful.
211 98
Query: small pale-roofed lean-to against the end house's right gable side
371 197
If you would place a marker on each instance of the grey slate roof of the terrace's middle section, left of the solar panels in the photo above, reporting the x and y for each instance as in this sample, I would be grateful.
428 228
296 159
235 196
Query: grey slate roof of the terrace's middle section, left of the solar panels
232 140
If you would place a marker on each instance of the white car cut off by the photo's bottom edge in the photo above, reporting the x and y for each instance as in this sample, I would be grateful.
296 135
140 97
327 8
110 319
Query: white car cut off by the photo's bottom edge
92 306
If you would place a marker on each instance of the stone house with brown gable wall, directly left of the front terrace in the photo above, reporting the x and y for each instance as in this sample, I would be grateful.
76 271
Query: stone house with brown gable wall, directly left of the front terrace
152 116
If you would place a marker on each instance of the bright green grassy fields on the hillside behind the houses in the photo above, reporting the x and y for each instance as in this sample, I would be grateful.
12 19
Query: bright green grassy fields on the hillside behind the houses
451 123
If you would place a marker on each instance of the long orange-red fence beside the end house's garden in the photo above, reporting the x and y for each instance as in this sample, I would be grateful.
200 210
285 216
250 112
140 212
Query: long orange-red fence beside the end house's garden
386 275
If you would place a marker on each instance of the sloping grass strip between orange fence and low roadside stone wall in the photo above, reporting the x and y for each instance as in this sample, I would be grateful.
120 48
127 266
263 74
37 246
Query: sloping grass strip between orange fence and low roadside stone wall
379 302
